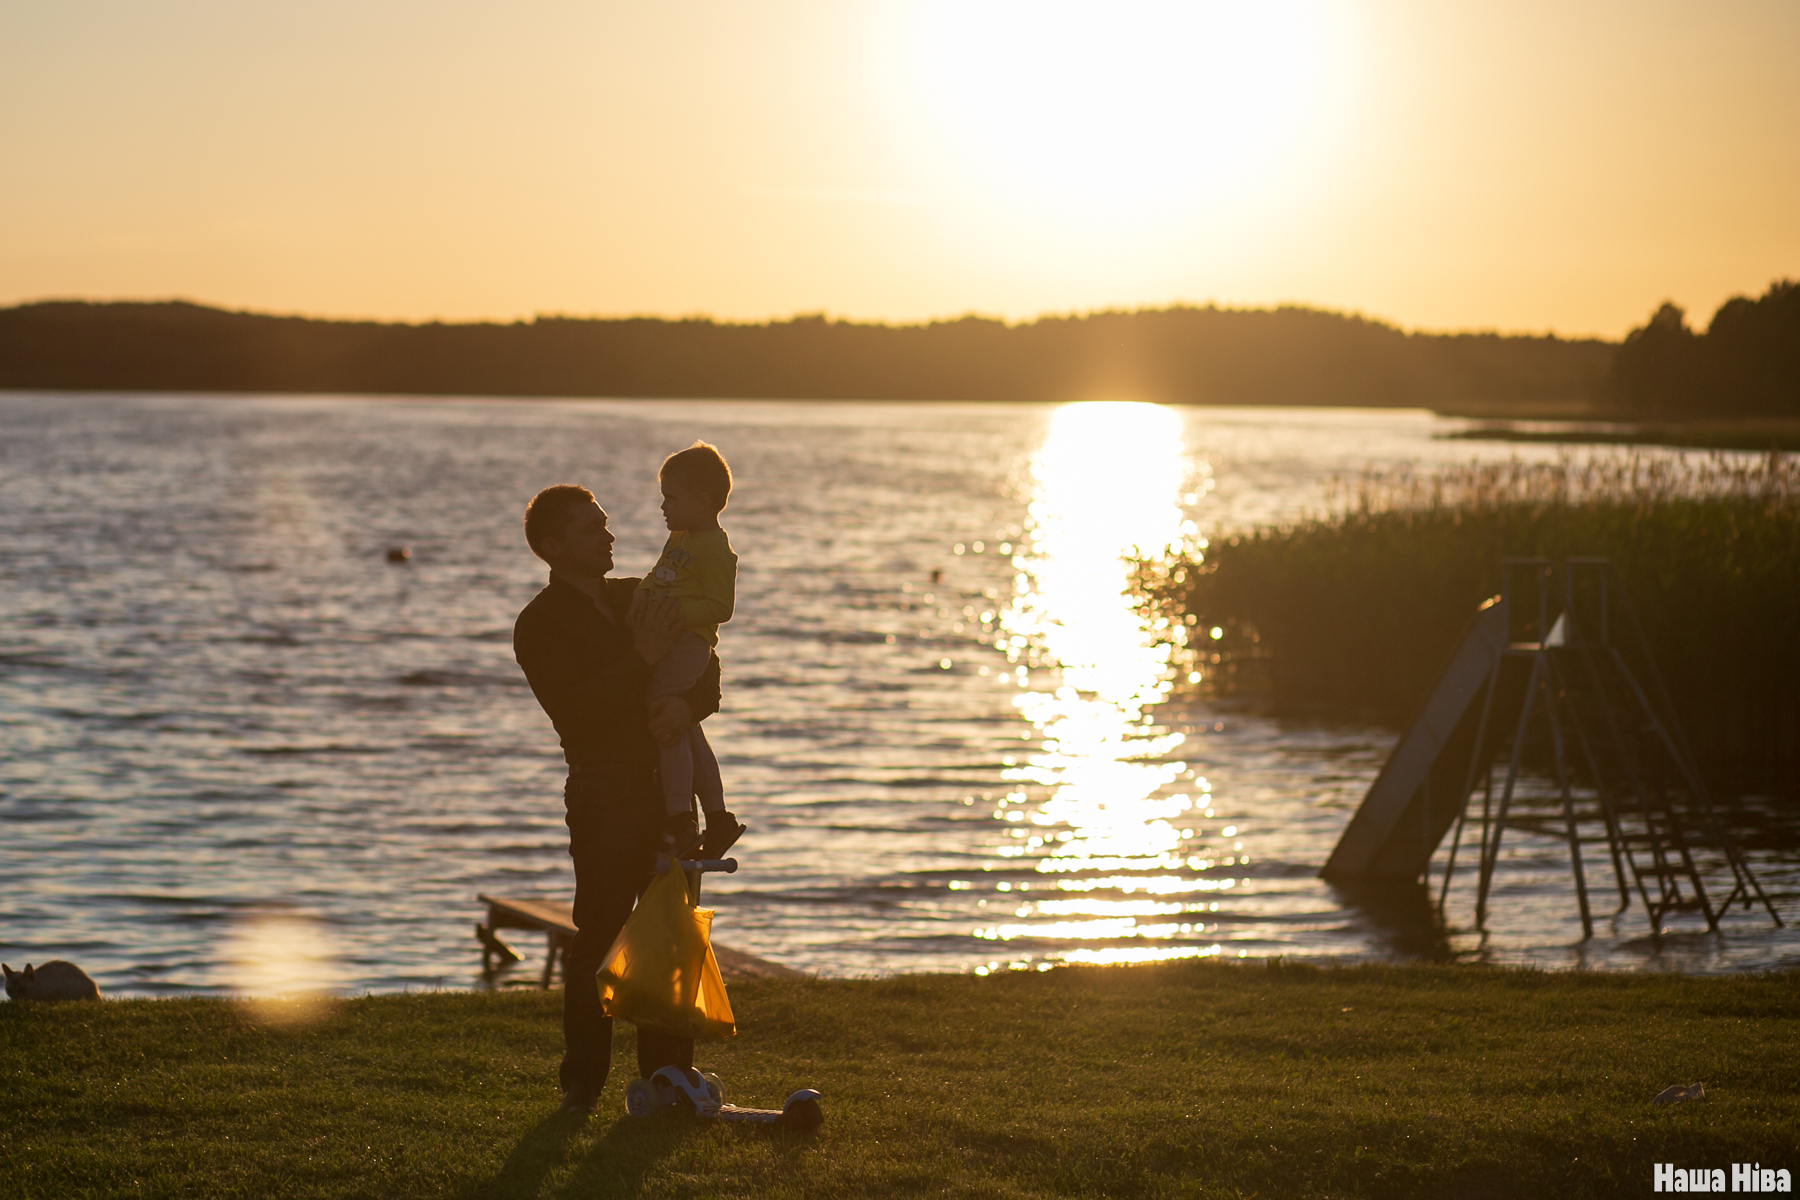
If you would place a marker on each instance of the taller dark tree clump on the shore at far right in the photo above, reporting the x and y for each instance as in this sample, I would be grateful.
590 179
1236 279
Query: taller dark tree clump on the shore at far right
1745 366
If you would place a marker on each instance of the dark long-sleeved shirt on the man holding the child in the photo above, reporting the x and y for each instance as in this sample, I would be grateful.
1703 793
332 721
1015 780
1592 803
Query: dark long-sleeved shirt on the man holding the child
591 681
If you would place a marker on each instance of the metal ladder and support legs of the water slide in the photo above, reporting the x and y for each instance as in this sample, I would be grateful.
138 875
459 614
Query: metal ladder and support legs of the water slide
1617 753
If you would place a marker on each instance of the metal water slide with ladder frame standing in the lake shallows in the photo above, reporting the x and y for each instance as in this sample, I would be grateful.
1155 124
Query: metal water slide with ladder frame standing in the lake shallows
1554 681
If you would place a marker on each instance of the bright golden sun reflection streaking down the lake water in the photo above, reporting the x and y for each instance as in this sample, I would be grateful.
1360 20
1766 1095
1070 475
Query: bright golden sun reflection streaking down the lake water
1099 803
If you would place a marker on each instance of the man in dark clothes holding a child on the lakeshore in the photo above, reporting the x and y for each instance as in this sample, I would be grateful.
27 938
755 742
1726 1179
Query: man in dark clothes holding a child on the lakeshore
588 645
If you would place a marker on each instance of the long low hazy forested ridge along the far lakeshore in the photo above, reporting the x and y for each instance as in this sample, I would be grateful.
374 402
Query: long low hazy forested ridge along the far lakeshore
1182 355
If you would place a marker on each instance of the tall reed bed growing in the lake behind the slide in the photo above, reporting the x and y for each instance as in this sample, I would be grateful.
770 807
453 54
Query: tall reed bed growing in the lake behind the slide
1354 611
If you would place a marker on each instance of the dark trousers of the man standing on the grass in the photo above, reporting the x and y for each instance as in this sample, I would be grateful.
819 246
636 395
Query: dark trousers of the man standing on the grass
615 828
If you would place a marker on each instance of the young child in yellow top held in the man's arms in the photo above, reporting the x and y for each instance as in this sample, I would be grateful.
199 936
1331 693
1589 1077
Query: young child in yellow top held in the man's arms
701 573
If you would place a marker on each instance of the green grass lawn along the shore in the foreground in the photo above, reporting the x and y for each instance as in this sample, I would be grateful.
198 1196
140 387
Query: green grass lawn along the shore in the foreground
1189 1080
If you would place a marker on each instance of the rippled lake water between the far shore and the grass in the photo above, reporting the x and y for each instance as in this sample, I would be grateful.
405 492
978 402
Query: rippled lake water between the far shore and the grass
240 753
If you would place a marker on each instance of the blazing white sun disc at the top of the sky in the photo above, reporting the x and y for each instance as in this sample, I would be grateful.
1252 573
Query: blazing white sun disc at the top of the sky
1129 109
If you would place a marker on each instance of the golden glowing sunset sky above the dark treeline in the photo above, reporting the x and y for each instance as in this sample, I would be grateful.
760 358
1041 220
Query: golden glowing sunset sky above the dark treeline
1502 165
